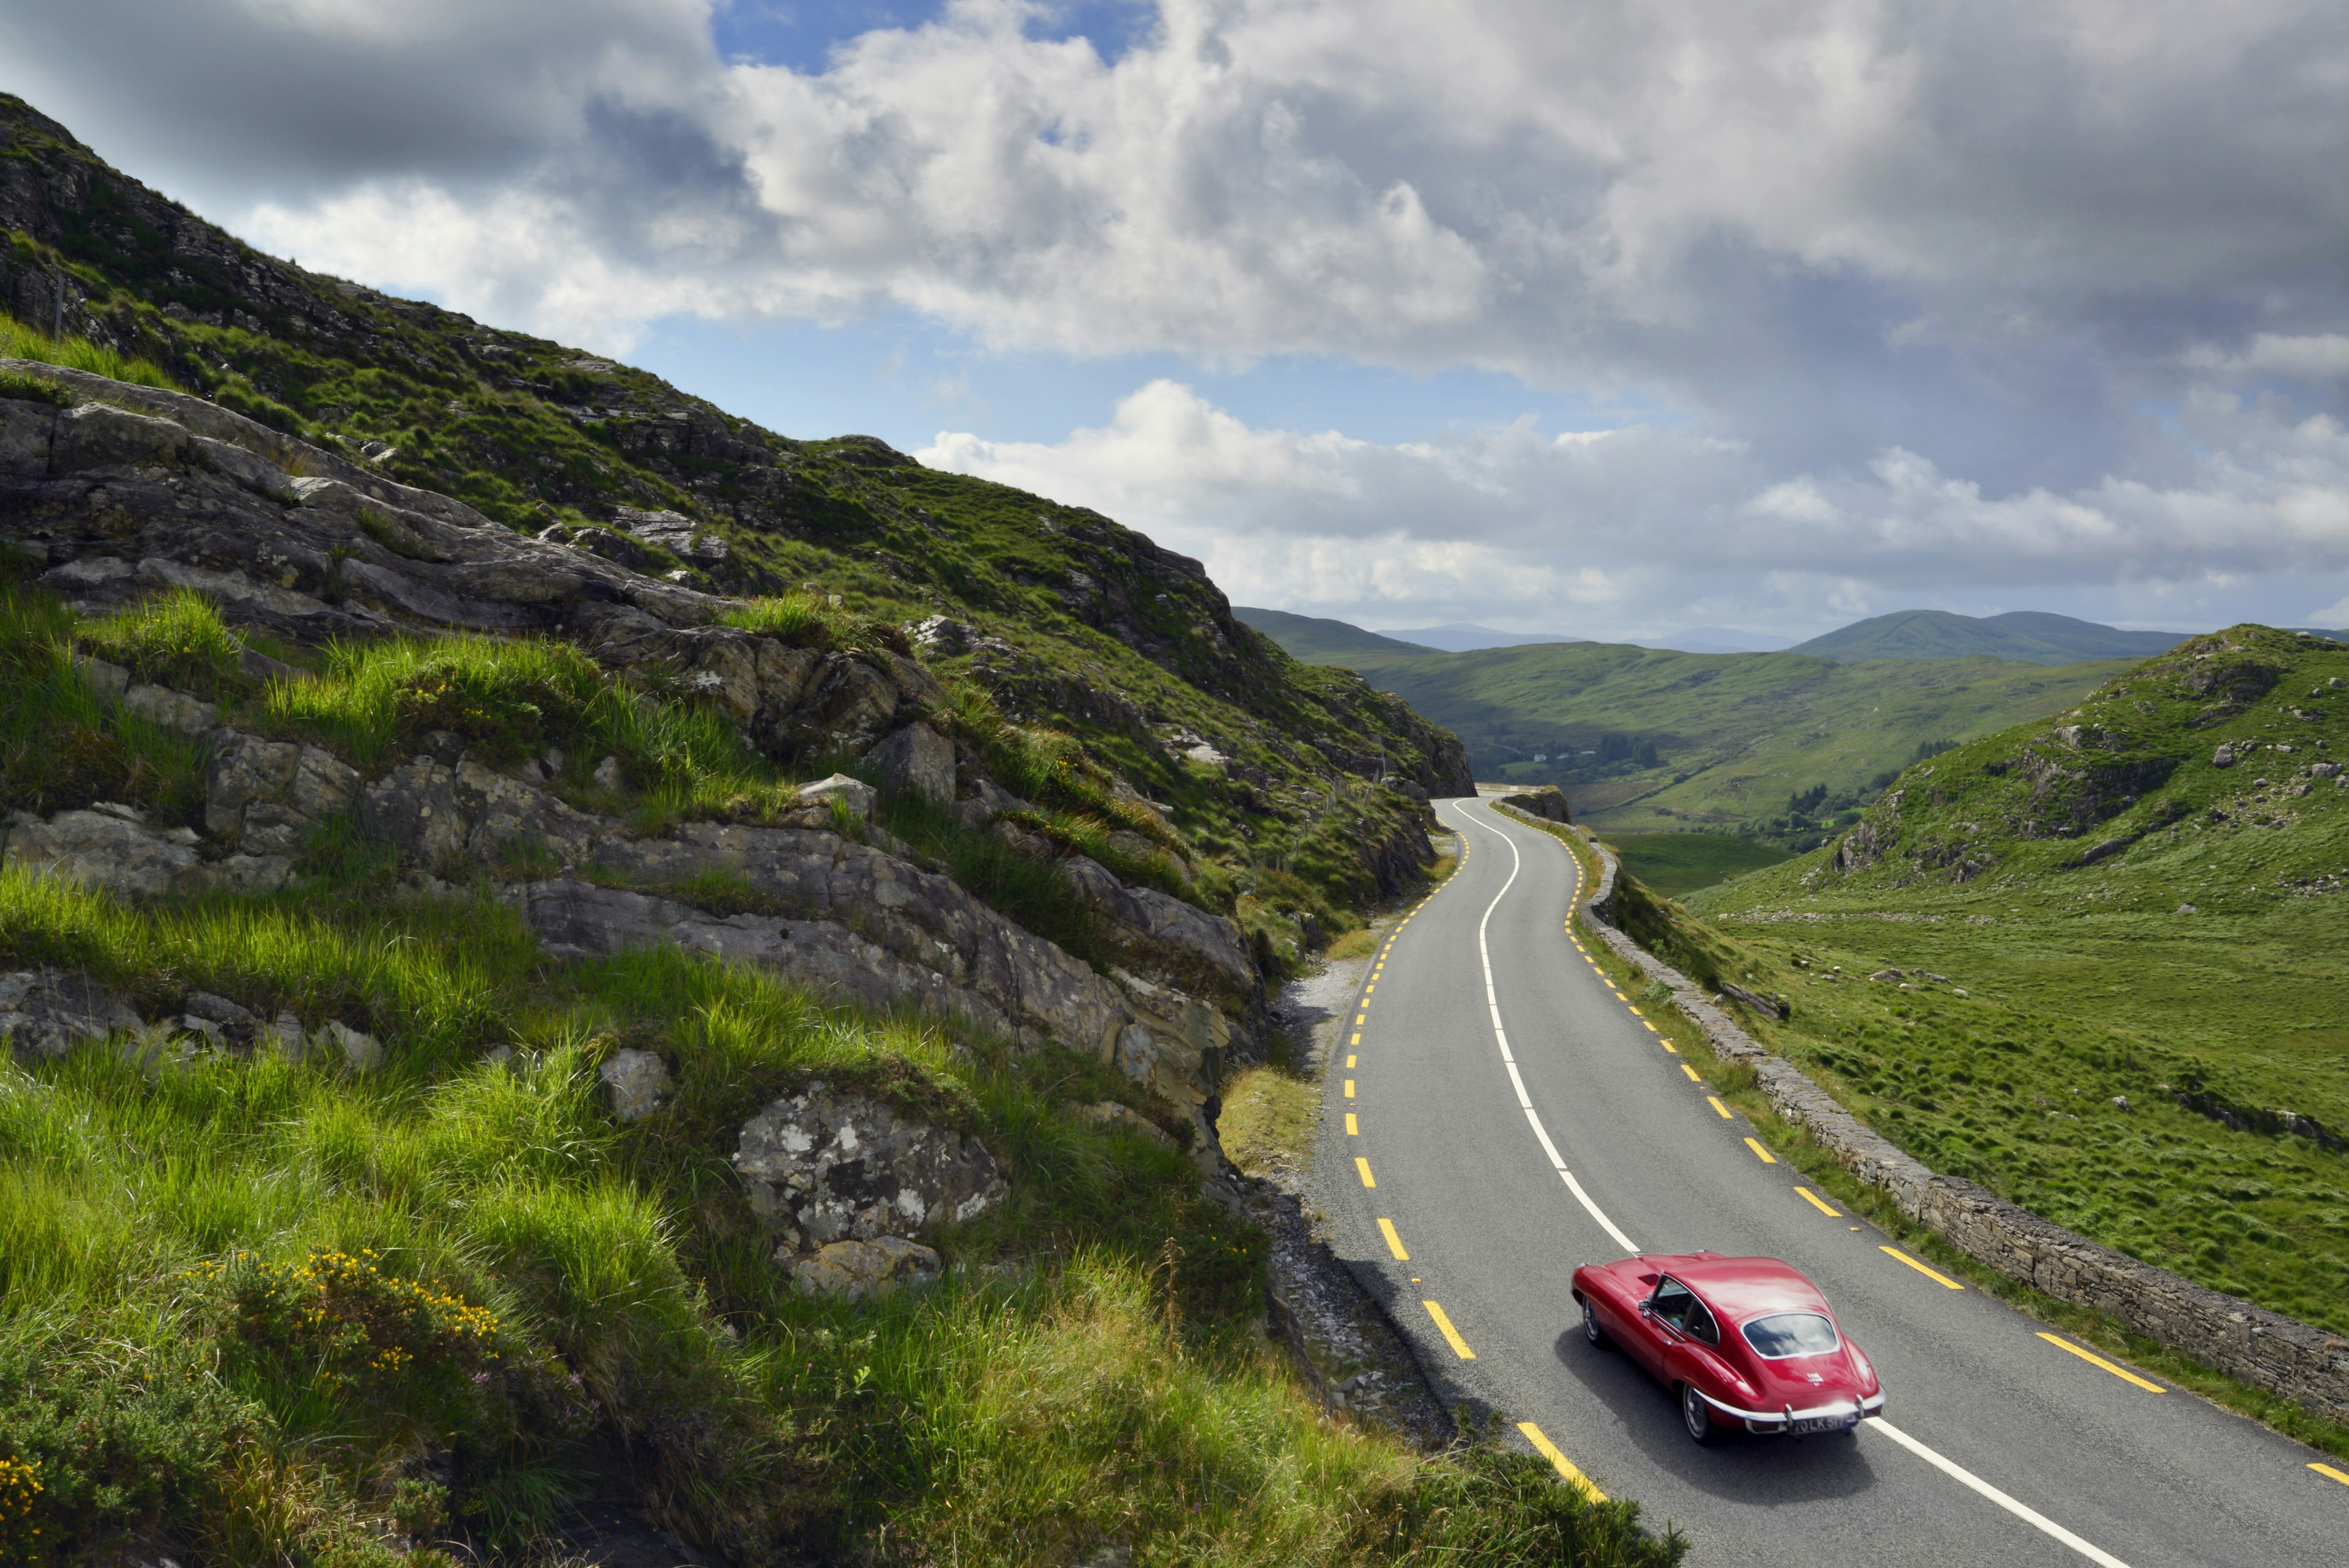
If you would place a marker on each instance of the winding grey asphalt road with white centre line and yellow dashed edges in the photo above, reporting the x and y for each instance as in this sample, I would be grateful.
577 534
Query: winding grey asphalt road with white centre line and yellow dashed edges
1998 1447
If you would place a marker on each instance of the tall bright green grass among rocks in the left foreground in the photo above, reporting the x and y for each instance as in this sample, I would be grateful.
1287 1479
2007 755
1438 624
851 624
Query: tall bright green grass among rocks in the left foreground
274 1313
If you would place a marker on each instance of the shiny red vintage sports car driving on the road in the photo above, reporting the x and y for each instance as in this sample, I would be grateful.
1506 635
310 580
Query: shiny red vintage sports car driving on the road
1739 1341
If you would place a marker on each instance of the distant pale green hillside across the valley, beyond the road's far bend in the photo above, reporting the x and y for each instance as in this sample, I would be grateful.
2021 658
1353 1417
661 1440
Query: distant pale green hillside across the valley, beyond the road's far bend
1739 732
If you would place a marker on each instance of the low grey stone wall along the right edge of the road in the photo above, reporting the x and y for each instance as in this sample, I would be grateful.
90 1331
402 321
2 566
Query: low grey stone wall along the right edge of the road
2263 1348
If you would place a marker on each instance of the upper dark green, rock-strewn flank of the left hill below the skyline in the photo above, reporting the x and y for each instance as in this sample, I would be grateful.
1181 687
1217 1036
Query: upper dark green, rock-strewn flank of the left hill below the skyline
1063 617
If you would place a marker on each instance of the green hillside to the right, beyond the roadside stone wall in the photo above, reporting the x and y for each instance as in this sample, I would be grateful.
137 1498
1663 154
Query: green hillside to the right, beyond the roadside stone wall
2089 984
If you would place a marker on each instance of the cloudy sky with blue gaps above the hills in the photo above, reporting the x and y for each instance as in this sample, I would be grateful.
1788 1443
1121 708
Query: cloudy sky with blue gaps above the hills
1606 319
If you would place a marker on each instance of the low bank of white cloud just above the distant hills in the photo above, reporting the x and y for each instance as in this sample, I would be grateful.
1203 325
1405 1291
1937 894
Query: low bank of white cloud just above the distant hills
1634 525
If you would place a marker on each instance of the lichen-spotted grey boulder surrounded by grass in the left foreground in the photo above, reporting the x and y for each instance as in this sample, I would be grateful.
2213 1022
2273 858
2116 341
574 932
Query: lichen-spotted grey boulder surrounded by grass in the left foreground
833 1167
